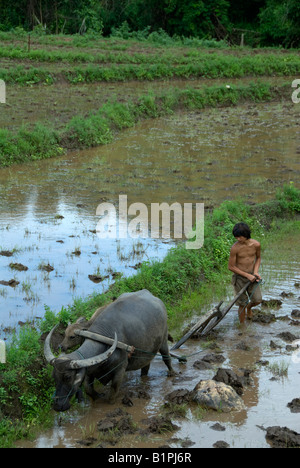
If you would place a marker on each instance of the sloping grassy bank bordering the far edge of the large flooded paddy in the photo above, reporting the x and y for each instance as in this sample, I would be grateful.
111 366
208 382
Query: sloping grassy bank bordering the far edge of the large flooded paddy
100 126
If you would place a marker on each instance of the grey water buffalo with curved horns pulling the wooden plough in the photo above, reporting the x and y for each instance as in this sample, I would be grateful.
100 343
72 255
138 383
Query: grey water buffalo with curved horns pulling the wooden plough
138 319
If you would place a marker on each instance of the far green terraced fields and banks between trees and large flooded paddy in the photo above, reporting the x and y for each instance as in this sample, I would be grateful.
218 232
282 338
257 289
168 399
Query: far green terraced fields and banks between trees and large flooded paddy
57 66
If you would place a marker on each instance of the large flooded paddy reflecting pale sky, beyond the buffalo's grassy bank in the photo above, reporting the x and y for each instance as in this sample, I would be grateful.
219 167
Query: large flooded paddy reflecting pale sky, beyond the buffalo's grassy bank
48 208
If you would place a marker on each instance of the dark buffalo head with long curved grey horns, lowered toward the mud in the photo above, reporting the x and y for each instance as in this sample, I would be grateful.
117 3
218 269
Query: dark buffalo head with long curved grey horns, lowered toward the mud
69 373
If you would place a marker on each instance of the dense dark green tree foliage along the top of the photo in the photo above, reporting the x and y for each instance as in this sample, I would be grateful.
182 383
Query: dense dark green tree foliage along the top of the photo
264 22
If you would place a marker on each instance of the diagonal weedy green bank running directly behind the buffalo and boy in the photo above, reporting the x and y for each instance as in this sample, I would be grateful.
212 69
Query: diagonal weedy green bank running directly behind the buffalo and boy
184 280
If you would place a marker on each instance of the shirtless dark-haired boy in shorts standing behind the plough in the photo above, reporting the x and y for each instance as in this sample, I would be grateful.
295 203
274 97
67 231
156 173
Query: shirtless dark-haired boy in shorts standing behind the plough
244 262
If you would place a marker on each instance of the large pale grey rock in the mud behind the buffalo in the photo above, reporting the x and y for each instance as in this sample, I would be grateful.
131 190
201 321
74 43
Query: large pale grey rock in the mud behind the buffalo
217 396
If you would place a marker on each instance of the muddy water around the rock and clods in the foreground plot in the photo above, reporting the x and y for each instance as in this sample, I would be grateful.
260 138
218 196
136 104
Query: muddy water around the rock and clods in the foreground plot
265 399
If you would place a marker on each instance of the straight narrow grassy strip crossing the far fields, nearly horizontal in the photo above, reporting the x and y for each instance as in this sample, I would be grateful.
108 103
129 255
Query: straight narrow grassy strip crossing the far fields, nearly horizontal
203 65
